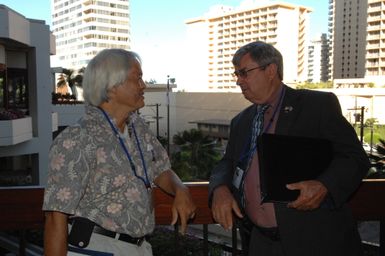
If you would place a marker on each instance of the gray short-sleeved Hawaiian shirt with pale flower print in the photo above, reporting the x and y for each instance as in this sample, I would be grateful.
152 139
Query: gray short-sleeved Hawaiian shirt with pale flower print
90 175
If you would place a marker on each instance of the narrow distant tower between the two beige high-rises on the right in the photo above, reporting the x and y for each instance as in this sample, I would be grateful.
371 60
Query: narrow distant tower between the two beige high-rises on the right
318 59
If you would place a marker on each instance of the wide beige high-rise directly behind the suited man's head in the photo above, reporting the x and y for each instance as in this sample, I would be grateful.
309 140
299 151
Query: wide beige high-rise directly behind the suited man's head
215 37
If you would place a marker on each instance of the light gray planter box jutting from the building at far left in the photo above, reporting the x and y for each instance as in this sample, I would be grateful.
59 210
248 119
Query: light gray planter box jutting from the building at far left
15 131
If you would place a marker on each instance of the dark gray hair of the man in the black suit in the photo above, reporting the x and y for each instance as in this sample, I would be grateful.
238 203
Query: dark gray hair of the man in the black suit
262 53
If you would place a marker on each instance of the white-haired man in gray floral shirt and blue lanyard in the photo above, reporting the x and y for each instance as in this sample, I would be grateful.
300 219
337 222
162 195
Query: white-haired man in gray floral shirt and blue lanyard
102 169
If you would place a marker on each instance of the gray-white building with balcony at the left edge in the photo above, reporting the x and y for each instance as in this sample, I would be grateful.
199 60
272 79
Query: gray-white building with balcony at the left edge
26 83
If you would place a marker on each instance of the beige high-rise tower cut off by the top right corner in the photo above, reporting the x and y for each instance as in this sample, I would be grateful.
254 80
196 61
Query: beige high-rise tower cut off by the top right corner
357 36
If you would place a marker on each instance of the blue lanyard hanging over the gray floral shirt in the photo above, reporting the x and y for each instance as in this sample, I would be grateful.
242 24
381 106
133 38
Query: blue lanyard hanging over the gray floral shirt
145 180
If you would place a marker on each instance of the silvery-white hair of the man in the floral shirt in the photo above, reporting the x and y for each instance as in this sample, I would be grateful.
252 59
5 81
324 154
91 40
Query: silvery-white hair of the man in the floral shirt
109 68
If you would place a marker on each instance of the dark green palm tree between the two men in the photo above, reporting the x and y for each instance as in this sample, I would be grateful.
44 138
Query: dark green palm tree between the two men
197 155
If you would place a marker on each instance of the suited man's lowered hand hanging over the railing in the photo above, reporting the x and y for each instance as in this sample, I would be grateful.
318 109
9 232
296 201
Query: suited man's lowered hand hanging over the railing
223 205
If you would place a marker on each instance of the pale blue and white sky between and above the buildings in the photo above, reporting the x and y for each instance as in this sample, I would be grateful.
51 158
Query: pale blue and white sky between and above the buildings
158 27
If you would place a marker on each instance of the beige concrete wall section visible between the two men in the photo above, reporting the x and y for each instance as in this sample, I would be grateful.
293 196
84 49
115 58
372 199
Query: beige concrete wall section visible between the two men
188 107
